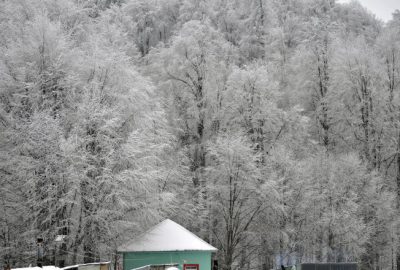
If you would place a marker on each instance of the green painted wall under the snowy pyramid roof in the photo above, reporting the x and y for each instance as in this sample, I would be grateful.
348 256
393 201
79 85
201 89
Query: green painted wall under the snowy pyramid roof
137 259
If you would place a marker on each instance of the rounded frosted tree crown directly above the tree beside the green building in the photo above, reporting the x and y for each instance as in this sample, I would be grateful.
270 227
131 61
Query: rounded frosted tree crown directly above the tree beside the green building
250 105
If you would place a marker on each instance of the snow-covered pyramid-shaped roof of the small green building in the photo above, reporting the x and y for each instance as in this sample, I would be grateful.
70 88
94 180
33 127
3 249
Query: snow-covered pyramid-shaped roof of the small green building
167 236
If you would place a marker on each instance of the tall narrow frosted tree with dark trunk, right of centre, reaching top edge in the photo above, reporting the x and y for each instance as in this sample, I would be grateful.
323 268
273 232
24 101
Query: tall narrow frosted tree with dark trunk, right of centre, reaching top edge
316 55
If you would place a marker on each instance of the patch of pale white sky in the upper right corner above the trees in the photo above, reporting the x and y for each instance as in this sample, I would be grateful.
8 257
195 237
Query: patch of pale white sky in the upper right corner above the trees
383 9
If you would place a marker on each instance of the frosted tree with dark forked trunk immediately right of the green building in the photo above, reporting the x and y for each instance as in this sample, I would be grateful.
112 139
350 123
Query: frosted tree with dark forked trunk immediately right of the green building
234 182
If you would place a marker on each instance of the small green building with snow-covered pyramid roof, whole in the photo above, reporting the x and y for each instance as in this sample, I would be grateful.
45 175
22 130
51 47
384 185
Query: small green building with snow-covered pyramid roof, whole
165 244
